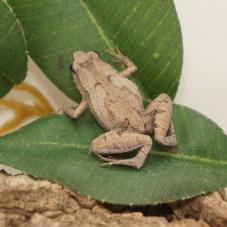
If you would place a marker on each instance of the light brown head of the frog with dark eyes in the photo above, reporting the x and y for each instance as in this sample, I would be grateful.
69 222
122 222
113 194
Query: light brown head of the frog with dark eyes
83 59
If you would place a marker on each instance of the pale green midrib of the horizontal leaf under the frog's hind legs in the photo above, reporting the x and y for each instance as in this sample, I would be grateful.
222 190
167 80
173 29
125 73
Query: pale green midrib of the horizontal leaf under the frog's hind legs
159 153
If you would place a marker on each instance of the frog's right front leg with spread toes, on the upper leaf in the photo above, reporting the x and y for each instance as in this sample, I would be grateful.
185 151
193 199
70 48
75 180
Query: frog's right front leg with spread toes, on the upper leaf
124 60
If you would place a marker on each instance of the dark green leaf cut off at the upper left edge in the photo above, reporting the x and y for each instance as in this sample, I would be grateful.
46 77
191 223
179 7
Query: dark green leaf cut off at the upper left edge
13 57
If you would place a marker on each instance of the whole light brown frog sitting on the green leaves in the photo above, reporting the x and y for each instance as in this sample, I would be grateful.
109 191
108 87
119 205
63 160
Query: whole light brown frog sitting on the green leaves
117 105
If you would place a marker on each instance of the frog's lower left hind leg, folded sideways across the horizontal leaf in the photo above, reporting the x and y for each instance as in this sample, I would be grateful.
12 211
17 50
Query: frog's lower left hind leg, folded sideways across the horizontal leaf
117 142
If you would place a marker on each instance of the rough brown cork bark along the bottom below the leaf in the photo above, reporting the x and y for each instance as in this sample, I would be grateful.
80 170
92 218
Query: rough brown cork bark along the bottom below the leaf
27 202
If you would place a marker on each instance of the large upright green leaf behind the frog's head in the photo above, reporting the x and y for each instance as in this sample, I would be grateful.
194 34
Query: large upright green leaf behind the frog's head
147 31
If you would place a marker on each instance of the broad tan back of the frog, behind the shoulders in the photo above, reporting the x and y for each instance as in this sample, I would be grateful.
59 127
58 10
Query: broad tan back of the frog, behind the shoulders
119 104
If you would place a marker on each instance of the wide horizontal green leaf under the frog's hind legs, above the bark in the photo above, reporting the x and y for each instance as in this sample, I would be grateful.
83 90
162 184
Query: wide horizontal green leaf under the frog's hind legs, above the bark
57 148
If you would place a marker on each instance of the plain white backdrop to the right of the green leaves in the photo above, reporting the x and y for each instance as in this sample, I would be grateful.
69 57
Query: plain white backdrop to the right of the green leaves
204 77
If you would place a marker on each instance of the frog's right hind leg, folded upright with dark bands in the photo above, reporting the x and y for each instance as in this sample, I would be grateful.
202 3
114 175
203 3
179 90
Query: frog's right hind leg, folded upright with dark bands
158 120
